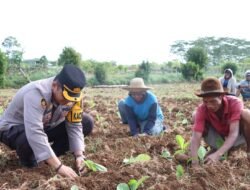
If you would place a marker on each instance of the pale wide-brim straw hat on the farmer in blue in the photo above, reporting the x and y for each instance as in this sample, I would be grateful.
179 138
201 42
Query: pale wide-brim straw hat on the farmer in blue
136 85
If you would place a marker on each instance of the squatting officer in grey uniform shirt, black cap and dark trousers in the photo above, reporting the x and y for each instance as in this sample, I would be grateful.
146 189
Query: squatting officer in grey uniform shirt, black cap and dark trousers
48 112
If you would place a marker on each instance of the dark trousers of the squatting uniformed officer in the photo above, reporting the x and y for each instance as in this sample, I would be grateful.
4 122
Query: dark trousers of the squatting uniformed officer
16 139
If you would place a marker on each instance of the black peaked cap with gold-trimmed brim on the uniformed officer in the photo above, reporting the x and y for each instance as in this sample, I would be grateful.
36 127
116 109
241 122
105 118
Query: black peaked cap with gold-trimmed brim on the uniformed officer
73 81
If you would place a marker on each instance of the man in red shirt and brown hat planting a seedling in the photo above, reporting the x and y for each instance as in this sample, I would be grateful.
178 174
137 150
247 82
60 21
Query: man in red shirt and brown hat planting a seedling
219 116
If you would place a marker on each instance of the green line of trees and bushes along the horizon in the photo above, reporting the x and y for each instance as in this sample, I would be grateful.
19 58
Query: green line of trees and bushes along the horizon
195 57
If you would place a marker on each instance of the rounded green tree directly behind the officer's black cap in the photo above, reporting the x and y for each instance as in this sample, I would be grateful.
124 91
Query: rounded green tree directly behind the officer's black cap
69 56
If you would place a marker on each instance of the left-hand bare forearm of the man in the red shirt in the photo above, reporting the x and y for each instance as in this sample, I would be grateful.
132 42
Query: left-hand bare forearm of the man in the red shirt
195 143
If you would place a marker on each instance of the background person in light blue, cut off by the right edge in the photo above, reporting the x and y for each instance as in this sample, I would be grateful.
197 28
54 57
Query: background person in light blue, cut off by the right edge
244 87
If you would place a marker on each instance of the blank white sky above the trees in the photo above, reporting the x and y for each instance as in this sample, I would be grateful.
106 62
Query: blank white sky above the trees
125 31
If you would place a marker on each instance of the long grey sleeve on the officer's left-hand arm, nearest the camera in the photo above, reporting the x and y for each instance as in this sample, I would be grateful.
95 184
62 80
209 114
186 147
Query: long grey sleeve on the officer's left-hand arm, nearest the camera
33 114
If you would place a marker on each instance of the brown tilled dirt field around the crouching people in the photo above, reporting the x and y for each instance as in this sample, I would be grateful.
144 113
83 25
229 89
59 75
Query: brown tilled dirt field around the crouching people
110 143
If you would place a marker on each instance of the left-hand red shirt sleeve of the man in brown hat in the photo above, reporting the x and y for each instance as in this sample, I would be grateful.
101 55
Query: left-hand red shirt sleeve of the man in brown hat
199 122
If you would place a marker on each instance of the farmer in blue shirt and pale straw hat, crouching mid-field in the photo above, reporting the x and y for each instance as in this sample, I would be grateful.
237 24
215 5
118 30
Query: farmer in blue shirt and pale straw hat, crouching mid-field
140 110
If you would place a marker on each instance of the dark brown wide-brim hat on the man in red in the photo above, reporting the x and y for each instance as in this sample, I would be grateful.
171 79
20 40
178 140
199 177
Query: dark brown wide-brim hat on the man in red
210 87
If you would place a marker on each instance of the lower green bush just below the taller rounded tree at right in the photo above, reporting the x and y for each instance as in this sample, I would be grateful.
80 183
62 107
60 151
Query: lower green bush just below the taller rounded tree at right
191 71
